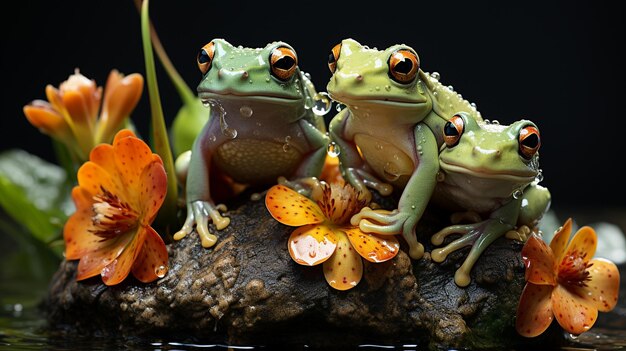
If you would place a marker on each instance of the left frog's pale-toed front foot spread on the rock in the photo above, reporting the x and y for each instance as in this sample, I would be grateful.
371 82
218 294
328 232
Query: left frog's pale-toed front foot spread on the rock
198 214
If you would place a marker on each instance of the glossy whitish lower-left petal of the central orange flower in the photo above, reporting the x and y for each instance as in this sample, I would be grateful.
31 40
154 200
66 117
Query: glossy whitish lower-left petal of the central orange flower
312 244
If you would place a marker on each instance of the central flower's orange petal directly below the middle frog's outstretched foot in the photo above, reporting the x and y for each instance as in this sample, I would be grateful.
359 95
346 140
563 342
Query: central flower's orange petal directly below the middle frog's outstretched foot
372 247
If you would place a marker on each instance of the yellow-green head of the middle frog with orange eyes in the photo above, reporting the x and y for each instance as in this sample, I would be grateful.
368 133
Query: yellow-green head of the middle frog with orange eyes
389 77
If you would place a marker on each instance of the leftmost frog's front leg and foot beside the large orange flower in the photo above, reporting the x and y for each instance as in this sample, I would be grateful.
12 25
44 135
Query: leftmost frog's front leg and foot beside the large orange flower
200 205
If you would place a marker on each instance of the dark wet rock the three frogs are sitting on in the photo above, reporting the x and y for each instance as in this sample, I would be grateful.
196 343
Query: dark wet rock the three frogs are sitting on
247 290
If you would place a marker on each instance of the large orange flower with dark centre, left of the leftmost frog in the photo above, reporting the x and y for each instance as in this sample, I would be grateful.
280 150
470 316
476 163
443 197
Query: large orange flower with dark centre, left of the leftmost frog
119 192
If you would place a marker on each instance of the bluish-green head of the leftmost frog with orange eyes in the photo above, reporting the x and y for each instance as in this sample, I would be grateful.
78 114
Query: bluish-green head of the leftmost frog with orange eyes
268 75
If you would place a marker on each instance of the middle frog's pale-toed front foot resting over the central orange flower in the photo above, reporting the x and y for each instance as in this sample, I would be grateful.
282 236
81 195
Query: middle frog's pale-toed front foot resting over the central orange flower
394 222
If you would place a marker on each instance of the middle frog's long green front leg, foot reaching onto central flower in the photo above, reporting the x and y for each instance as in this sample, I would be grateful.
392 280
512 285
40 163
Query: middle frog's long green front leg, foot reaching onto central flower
413 201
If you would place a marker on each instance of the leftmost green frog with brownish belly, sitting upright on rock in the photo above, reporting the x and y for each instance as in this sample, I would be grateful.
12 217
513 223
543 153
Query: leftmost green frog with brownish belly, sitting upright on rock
261 129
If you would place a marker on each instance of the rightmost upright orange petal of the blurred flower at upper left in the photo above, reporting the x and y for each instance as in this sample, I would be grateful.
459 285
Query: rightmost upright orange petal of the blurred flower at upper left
121 95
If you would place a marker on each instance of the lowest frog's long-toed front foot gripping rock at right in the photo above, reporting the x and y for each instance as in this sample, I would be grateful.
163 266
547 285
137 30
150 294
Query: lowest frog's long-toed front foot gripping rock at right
478 235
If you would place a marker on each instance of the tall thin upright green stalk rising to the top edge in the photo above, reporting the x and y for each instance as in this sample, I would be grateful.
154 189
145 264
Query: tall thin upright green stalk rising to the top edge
167 213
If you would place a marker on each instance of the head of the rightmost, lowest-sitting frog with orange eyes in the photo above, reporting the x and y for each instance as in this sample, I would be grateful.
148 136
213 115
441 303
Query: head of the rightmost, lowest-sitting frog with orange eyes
489 159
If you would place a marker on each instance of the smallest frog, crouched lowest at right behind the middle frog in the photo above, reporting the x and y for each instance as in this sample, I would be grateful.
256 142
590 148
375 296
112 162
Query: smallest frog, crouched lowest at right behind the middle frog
487 170
